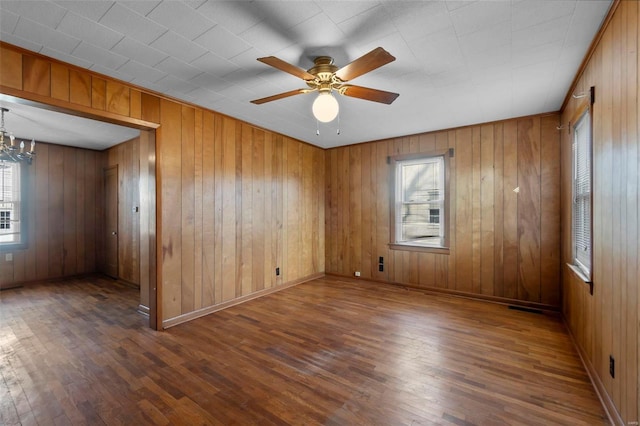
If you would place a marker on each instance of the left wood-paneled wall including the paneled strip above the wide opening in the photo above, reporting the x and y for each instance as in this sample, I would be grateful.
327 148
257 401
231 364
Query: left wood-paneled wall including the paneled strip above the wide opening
233 201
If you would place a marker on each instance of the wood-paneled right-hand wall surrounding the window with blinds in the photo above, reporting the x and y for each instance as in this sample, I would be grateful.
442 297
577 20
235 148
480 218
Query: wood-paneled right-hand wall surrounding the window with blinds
607 322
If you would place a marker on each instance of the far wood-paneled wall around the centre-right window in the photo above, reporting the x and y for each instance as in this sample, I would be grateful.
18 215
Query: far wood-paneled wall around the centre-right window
503 244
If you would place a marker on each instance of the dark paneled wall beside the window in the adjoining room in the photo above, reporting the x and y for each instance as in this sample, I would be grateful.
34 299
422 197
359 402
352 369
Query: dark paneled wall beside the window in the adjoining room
64 216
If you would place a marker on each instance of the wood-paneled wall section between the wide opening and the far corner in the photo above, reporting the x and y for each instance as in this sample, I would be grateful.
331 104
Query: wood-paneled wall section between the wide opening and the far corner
244 201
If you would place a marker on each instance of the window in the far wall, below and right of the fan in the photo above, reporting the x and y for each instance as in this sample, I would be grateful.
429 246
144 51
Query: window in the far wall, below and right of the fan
420 202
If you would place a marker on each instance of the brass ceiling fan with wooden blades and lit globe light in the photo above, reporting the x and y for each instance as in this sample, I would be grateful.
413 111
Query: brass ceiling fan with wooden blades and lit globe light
325 77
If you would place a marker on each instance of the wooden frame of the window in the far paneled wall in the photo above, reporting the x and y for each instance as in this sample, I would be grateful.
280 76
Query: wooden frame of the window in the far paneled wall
394 161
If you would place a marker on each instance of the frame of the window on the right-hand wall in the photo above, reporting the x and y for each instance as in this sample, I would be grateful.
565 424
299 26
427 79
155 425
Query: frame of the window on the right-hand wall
584 112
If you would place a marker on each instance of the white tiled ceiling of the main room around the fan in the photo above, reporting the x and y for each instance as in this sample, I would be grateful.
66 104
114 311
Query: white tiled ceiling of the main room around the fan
458 62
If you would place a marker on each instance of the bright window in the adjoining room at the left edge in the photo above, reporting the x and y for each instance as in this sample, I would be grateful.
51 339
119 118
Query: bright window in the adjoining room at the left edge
11 209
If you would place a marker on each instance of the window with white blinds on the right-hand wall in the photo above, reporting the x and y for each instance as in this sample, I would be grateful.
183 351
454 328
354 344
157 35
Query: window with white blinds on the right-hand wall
581 208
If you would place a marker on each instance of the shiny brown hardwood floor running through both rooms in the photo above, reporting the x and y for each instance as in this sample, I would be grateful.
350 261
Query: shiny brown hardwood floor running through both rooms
325 352
